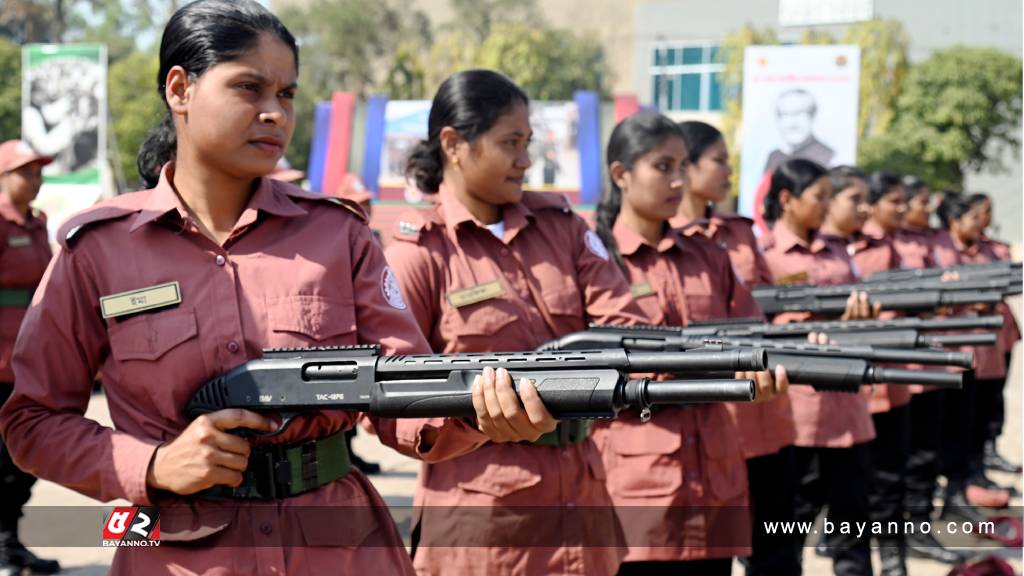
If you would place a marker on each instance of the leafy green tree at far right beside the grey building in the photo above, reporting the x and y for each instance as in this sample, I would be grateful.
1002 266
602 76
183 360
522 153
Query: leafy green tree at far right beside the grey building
958 112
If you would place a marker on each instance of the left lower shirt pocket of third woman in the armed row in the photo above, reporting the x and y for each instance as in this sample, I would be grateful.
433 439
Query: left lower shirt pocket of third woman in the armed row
646 459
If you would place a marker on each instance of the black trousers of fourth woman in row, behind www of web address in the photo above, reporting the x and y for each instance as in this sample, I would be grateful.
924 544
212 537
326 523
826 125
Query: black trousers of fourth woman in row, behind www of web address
774 487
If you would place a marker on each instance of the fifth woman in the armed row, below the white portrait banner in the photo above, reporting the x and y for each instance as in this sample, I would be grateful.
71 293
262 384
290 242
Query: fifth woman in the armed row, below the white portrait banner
833 460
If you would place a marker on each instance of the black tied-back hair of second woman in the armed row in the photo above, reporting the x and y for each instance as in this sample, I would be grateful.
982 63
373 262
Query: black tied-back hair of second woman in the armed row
472 102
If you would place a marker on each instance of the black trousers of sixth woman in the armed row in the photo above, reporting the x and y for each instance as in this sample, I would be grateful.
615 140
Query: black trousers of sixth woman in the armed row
890 451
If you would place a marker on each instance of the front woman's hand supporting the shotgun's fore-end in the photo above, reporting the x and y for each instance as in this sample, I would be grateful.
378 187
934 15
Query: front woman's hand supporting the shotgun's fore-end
505 417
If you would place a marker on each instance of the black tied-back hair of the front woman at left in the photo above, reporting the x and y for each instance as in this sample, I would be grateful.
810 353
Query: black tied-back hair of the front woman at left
198 37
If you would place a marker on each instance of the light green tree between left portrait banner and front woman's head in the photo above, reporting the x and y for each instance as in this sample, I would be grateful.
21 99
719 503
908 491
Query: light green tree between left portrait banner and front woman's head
135 108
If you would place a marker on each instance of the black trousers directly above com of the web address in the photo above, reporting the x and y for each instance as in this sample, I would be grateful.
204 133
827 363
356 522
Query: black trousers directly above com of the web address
958 425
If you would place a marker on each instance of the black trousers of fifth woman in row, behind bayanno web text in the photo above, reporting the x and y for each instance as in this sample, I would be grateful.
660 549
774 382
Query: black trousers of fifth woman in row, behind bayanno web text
839 479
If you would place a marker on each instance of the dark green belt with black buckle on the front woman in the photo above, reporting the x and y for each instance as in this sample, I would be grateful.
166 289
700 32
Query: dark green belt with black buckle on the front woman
278 471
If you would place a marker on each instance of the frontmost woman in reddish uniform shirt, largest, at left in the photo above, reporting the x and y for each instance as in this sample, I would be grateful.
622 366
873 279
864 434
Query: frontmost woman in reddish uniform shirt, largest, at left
163 291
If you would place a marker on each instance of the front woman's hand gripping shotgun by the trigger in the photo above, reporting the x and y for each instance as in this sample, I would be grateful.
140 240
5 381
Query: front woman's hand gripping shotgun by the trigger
205 455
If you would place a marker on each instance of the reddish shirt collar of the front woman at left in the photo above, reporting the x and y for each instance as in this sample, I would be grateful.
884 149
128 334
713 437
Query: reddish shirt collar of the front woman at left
270 197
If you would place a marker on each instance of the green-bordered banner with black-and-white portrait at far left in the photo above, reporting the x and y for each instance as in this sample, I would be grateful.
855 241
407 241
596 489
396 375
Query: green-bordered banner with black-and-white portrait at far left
64 115
